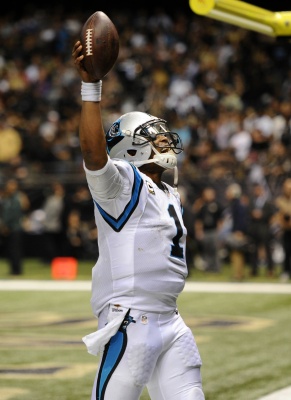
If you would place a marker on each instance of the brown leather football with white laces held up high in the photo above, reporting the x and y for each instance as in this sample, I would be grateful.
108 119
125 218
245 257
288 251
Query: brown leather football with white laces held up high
100 41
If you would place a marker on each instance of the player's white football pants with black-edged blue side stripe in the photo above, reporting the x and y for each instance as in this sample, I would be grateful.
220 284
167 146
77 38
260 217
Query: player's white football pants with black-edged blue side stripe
153 350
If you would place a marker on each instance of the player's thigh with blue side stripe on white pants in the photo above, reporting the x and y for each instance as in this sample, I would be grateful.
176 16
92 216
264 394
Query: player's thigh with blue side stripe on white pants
124 376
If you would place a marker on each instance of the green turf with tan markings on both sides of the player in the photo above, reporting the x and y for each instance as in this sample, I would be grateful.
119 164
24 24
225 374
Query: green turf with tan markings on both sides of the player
244 341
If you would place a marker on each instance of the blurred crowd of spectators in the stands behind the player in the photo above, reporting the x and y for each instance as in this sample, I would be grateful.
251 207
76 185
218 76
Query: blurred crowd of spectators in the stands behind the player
225 90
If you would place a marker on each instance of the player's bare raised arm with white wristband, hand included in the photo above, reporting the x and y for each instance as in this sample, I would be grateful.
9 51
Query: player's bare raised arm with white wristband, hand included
91 131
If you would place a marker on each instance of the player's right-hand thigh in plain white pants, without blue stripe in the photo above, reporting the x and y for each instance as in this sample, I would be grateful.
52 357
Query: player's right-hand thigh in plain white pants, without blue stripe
177 374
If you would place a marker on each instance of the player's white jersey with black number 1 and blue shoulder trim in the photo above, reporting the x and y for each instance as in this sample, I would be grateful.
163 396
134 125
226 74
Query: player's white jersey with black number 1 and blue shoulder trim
141 239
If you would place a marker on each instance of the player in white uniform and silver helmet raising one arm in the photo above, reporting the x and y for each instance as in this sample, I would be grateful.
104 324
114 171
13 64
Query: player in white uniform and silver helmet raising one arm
141 269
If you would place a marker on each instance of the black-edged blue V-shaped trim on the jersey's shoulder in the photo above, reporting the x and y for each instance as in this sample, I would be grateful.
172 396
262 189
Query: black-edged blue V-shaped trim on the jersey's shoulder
118 223
